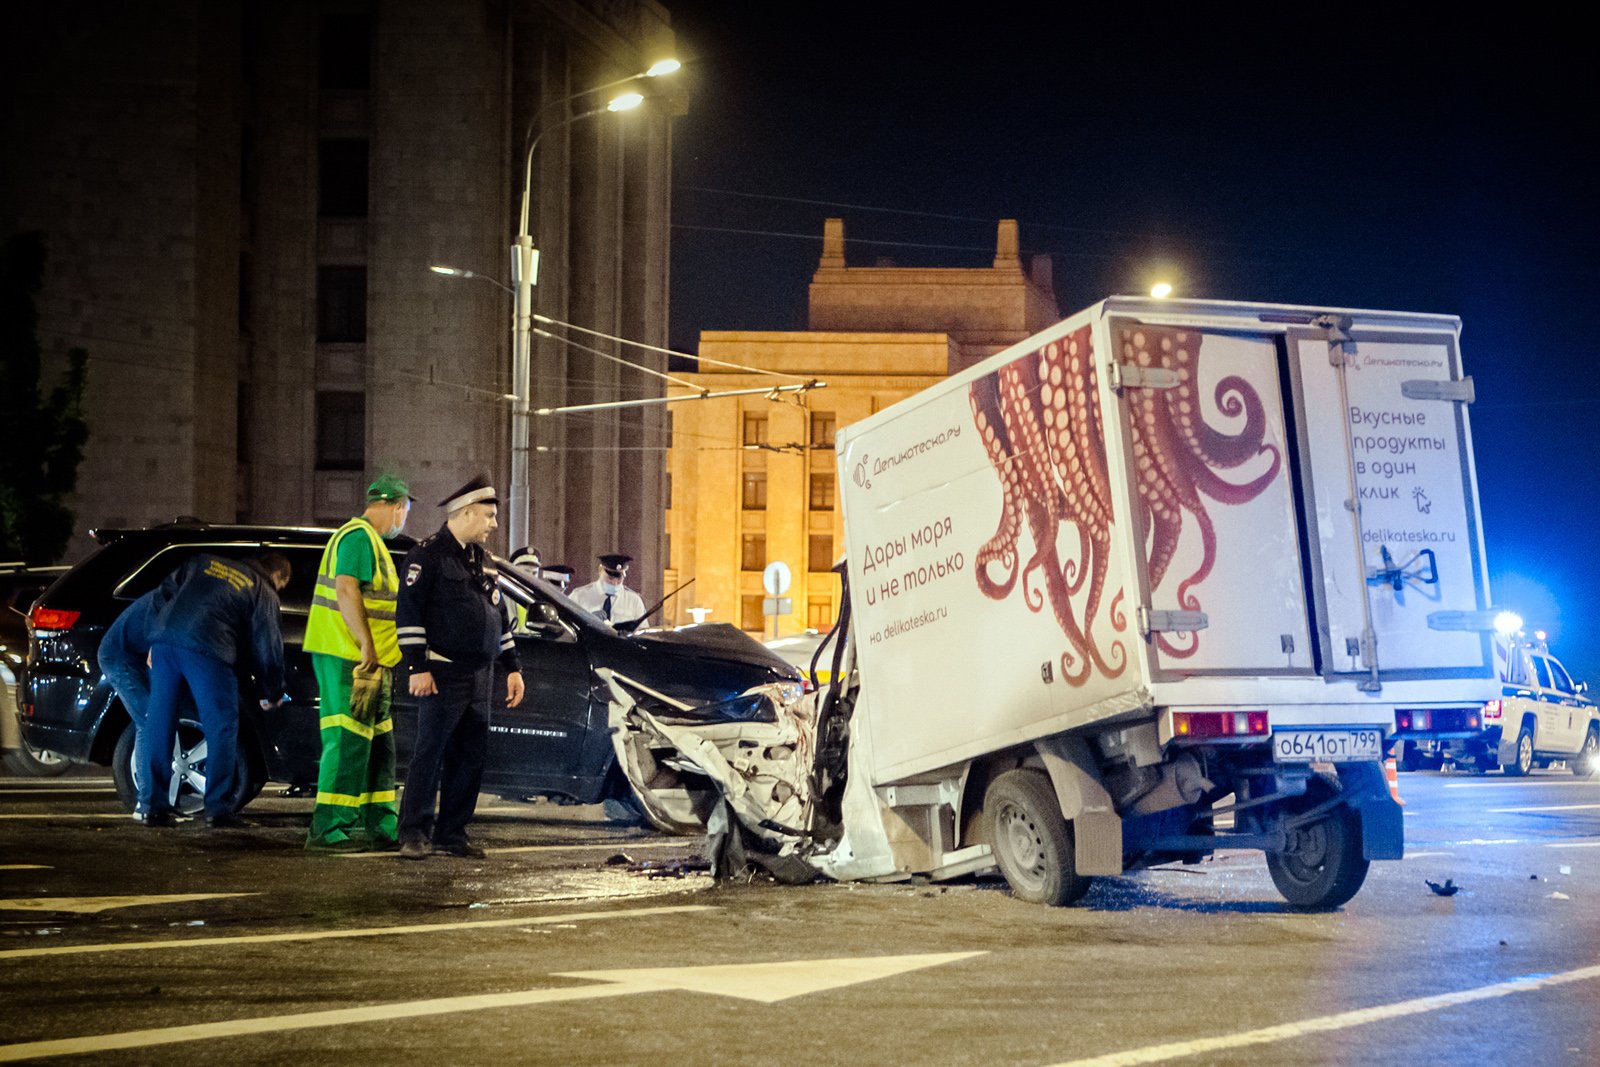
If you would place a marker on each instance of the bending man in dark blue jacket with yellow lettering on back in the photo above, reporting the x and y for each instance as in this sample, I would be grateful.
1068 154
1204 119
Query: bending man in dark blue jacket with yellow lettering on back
222 615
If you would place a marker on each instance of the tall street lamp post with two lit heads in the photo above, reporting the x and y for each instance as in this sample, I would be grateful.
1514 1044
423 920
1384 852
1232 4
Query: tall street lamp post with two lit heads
526 274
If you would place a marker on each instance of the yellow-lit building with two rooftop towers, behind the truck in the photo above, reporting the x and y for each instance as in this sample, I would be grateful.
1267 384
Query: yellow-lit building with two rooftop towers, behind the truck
753 479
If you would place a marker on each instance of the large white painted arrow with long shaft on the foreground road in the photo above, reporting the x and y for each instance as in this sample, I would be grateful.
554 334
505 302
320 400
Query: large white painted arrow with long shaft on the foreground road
753 981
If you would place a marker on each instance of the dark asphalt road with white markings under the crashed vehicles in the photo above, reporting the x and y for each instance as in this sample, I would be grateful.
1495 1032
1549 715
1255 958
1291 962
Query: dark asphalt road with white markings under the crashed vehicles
124 945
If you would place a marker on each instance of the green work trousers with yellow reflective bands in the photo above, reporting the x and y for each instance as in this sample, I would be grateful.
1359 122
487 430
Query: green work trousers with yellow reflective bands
356 781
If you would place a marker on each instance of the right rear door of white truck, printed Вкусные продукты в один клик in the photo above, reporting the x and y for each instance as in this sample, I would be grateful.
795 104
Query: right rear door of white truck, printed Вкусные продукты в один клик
1393 506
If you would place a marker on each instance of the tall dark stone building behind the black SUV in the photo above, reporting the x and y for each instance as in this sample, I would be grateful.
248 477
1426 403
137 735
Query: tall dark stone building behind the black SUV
242 201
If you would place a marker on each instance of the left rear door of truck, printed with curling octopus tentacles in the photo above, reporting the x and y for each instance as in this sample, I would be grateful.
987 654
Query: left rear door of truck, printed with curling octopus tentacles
1210 468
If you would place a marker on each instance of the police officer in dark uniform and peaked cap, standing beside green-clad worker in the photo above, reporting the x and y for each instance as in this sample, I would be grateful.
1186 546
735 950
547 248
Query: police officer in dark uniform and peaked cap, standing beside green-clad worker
452 631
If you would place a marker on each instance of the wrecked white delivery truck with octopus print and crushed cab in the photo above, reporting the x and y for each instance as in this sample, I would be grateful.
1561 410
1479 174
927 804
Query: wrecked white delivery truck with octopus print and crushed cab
1148 585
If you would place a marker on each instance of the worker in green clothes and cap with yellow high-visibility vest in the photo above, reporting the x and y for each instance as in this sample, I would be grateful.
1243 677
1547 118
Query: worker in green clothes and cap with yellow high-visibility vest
353 644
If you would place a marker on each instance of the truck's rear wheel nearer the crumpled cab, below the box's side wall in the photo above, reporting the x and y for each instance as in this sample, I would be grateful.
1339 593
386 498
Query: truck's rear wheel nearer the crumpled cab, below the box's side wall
1031 841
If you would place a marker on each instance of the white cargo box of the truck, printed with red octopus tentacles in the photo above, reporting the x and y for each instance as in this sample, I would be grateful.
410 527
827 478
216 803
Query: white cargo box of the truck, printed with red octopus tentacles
1148 506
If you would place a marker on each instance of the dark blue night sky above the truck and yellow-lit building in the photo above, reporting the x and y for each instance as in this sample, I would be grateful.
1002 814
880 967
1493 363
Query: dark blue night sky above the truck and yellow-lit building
1428 167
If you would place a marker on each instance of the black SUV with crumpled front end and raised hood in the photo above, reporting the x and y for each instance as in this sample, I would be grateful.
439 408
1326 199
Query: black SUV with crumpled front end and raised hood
556 745
